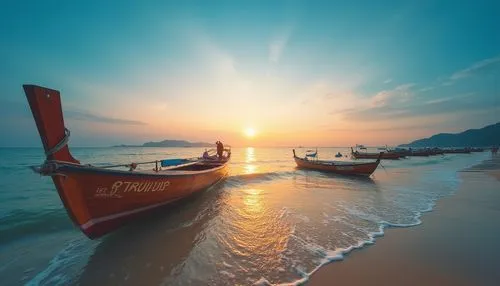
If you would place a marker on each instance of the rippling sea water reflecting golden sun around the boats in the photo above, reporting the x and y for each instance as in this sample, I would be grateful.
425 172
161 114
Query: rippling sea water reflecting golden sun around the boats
266 223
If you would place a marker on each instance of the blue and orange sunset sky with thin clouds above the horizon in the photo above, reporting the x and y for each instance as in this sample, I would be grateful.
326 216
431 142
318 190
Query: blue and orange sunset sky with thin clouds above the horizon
311 73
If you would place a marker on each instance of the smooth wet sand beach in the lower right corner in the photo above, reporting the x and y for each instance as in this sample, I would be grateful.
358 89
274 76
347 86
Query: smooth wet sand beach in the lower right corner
458 243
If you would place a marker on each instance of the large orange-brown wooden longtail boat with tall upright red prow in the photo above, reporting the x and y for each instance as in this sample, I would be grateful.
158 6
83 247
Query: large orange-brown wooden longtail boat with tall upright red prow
100 199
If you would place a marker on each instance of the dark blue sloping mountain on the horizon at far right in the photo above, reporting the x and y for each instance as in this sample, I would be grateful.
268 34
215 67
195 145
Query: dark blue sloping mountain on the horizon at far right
484 137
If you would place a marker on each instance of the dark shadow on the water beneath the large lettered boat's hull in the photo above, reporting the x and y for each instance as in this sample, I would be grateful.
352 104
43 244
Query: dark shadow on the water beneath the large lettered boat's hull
155 247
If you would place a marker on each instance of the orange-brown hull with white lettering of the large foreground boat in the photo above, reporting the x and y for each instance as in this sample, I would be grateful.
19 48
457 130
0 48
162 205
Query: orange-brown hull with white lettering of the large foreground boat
100 201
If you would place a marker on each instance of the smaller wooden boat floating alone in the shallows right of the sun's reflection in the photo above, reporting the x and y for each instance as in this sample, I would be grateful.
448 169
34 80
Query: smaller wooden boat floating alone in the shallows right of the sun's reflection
338 167
